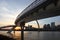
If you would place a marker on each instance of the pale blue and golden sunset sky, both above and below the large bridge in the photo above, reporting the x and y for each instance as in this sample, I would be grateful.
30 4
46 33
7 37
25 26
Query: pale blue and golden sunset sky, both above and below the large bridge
9 9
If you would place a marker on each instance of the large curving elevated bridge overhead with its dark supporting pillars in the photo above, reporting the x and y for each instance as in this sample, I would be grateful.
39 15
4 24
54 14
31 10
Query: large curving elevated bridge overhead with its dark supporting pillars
39 9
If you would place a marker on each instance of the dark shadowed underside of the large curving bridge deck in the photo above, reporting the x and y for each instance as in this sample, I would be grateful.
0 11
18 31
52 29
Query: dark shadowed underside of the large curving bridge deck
50 10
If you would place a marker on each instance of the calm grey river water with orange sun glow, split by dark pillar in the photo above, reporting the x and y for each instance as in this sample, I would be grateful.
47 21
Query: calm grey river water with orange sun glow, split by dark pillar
34 35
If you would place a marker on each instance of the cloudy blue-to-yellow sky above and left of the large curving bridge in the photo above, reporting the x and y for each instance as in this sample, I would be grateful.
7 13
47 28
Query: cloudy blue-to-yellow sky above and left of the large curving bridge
9 10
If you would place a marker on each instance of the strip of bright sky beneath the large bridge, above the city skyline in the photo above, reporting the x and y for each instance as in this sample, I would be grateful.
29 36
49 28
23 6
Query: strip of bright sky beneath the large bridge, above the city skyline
41 22
